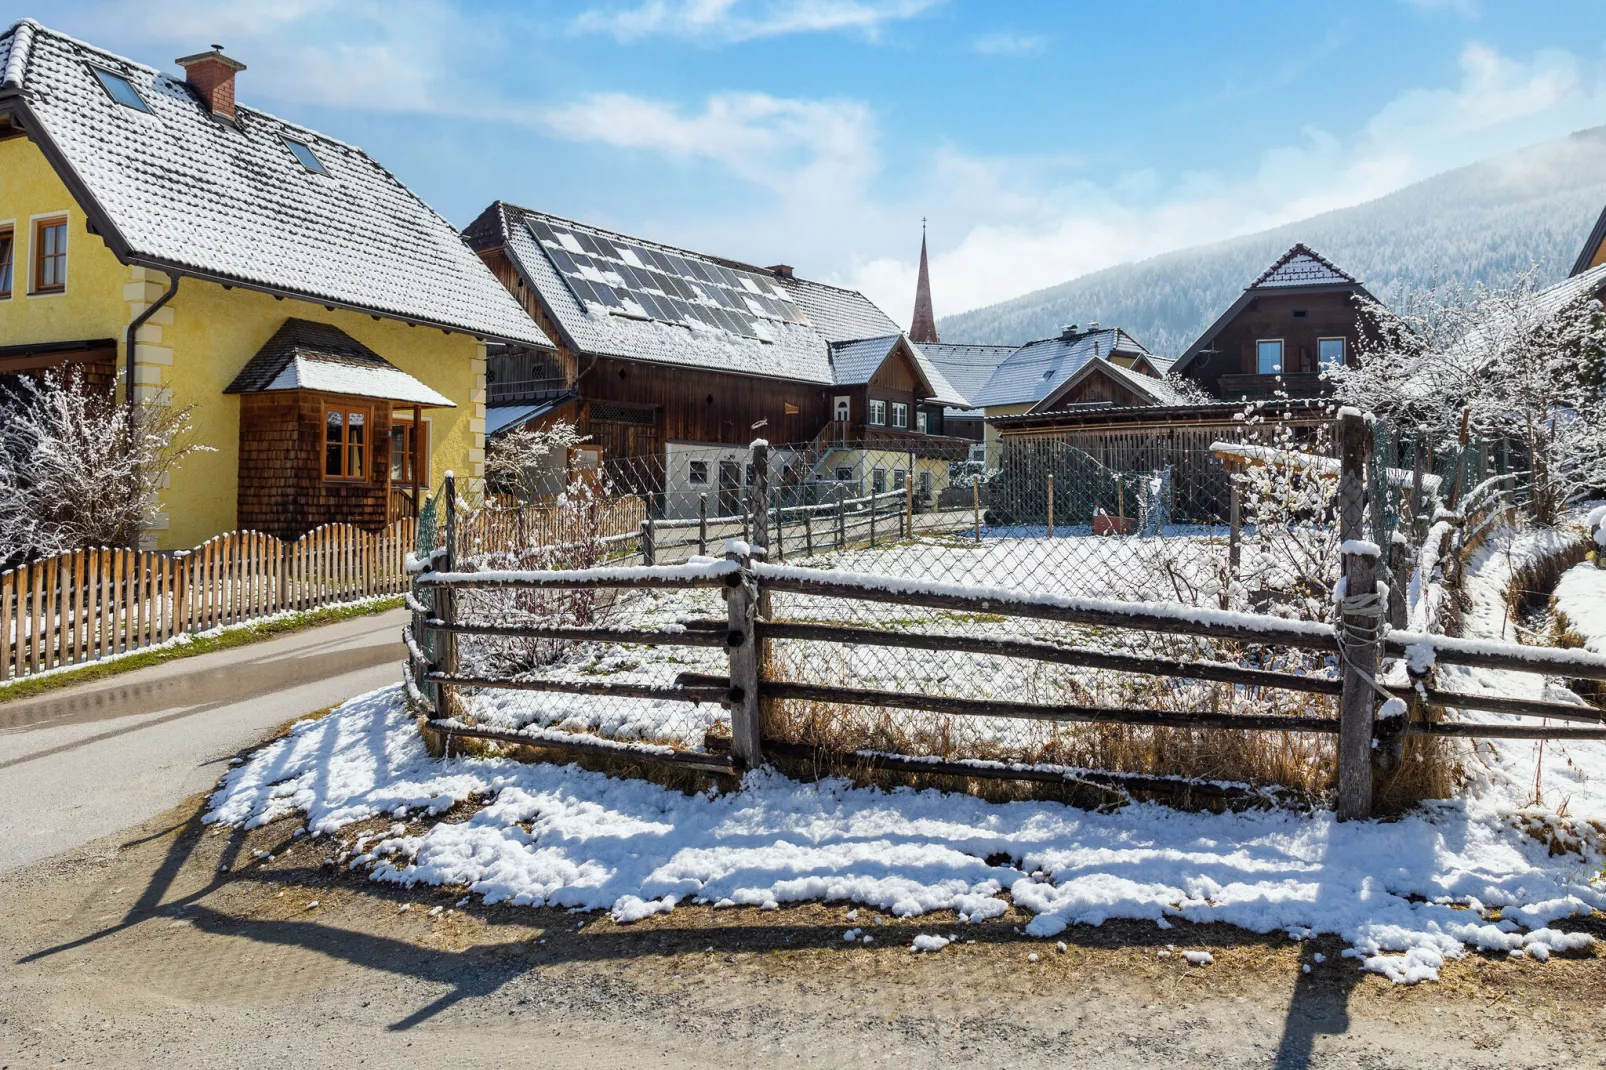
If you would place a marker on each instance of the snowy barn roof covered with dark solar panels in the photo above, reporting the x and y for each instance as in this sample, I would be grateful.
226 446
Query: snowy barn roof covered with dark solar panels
621 296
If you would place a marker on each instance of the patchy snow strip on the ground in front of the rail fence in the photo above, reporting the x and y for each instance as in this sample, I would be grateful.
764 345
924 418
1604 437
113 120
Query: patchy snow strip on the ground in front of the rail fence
1406 894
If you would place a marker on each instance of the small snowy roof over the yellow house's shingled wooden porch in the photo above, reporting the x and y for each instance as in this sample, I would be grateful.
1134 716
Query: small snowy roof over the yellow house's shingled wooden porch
306 356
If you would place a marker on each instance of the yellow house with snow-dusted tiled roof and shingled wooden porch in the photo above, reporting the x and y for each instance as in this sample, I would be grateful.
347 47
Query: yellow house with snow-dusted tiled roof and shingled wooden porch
325 327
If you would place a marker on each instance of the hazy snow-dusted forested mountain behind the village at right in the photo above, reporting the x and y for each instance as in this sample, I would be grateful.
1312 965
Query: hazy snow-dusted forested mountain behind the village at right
1488 223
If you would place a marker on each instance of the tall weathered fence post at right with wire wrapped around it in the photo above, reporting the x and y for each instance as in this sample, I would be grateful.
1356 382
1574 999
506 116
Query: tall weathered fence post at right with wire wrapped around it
1359 623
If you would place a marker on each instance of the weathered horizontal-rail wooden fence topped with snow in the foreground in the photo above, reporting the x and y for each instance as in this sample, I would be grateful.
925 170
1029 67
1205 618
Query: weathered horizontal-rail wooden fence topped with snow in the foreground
1380 716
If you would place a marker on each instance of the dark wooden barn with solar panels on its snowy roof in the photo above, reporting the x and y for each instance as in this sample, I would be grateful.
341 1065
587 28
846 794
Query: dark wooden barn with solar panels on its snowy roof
672 362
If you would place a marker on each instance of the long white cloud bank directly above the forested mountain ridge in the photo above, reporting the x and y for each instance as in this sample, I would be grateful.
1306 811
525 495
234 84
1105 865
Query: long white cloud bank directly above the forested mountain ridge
1038 231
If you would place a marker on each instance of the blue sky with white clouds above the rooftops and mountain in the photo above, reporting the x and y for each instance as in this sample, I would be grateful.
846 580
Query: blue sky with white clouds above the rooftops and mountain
1043 141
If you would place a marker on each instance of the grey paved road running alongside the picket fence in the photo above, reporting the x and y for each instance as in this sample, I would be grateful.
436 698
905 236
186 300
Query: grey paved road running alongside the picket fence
84 762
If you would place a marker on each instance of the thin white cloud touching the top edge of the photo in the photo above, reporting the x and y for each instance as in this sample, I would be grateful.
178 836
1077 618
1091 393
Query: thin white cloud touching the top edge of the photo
732 22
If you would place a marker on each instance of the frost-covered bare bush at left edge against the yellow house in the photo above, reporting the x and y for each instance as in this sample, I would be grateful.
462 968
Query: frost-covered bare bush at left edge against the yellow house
79 470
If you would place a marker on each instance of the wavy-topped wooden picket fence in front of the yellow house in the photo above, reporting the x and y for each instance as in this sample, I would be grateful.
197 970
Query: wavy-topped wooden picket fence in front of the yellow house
88 605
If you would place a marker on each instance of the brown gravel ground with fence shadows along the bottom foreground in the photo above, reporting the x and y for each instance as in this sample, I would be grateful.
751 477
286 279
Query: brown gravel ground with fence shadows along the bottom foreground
173 945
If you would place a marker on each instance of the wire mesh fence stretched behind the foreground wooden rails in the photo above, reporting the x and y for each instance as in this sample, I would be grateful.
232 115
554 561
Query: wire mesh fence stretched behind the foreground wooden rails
1192 529
